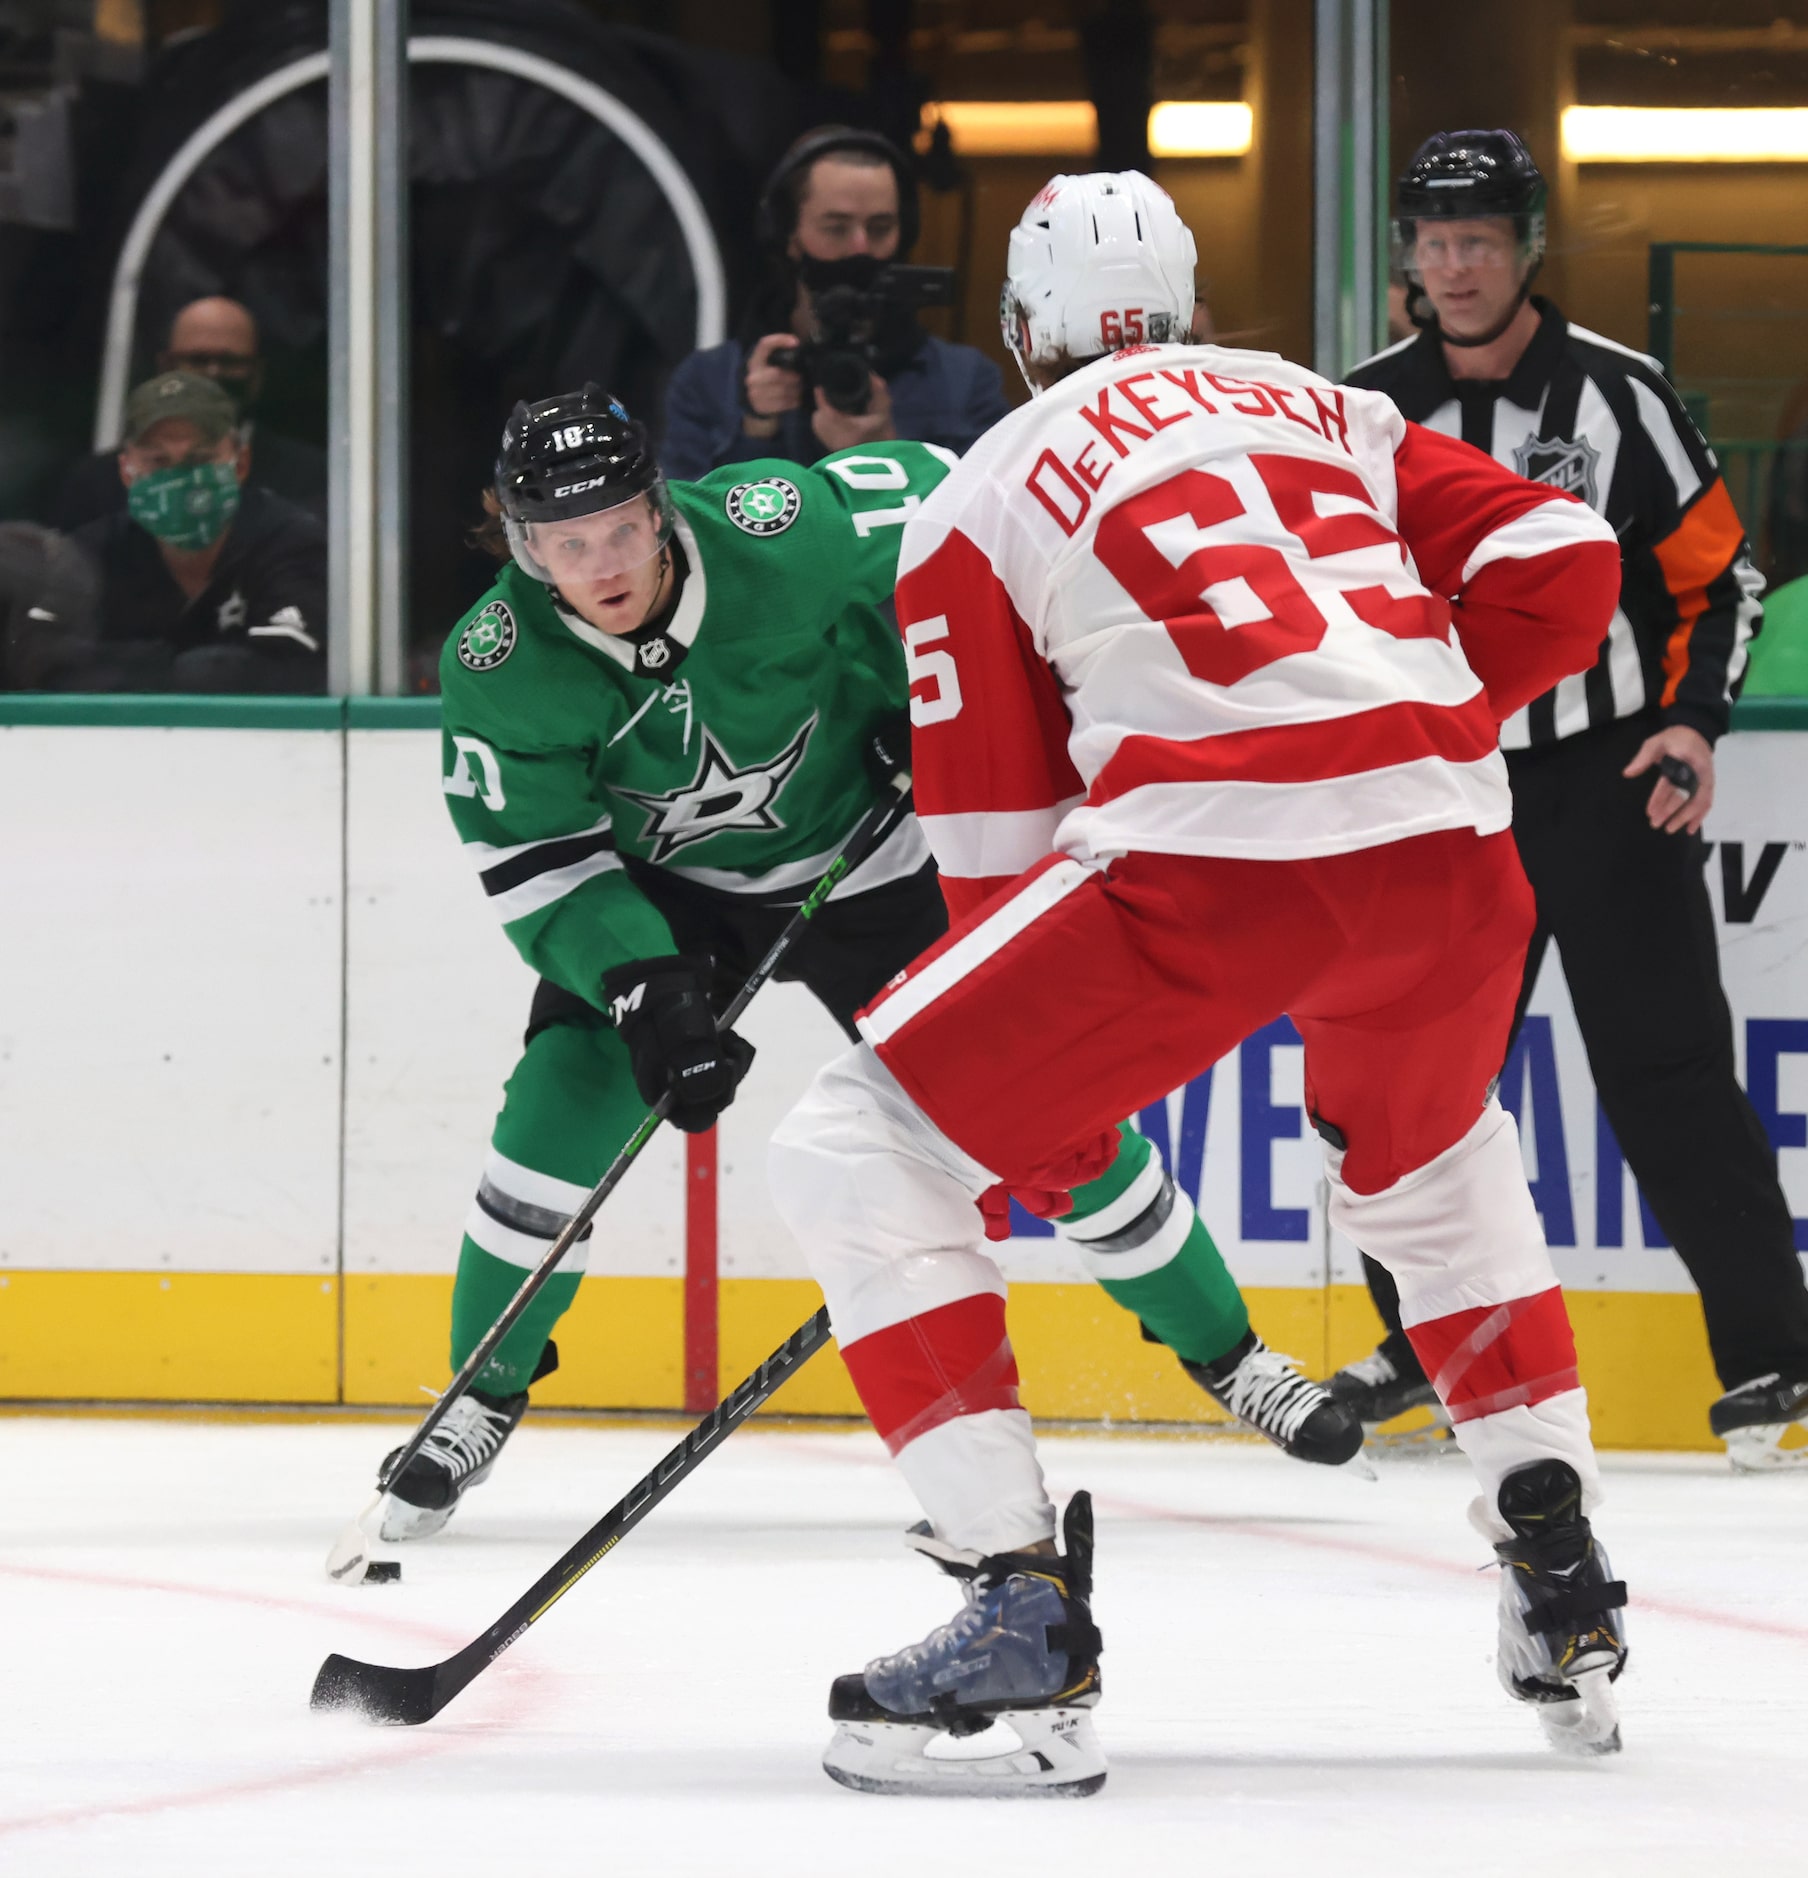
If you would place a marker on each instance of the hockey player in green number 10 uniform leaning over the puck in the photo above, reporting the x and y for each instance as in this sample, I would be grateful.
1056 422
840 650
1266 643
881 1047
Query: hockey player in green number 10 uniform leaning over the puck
660 730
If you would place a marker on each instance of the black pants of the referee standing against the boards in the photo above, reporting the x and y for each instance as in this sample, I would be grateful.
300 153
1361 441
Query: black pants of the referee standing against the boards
1631 914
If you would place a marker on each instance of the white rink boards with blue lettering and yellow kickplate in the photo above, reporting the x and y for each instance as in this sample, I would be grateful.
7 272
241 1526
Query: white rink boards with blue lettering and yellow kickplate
258 1019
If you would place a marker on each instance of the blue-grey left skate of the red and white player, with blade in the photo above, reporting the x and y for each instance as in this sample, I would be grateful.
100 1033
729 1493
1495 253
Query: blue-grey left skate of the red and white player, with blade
1005 1689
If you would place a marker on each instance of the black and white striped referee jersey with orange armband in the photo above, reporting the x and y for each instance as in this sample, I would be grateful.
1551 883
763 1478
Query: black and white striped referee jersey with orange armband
1602 422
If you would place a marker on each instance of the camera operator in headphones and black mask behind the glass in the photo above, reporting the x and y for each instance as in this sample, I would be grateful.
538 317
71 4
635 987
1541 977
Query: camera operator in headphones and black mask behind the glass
838 204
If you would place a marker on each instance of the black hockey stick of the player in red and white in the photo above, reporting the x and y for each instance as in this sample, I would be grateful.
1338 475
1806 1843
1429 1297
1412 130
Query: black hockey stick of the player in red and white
410 1697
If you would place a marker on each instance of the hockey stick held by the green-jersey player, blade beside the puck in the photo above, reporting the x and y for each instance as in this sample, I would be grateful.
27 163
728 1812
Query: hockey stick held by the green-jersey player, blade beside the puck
350 1560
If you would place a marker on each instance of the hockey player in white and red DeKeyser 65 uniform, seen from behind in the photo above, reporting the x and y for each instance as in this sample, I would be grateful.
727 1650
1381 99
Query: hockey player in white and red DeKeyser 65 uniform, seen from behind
1208 668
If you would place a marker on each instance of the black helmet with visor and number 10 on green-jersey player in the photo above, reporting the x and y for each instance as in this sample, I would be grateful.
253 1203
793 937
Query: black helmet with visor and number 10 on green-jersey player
579 455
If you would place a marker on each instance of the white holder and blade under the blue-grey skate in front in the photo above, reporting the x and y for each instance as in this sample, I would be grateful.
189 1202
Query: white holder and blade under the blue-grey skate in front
1028 1755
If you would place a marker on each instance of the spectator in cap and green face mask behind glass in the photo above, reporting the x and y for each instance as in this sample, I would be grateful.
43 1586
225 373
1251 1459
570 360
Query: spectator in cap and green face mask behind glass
207 583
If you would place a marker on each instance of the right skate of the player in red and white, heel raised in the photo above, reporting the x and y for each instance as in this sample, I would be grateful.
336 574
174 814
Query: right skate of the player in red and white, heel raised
1563 1640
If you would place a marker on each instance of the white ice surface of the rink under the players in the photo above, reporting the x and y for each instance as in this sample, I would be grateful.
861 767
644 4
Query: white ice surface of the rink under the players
1298 1669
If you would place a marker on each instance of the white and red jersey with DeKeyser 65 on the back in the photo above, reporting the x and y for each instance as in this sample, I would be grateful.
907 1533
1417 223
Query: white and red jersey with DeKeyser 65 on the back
1204 602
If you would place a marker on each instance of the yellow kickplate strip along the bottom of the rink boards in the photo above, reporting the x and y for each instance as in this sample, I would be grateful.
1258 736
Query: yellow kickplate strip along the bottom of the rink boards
245 1338
